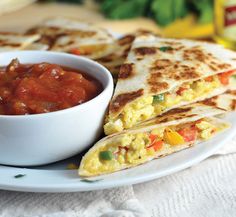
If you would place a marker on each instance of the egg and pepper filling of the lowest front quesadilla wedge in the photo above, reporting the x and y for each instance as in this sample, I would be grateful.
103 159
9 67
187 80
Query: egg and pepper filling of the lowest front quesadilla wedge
134 149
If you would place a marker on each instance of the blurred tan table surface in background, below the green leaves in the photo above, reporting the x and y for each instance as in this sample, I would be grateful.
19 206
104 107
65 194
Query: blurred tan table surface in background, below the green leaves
23 19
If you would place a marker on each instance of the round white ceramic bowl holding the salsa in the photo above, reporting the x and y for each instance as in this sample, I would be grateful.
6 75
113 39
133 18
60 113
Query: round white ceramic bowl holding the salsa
28 140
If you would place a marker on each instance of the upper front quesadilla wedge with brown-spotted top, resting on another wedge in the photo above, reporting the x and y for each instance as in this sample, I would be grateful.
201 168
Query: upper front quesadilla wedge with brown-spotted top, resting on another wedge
161 74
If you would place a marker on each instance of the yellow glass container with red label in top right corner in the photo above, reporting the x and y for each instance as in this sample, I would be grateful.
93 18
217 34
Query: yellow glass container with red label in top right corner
225 22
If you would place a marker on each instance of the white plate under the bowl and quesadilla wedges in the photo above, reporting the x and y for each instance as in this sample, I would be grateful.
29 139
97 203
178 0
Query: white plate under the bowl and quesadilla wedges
55 178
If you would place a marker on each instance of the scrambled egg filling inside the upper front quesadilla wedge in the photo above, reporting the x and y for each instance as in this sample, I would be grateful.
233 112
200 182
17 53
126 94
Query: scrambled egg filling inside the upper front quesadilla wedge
146 107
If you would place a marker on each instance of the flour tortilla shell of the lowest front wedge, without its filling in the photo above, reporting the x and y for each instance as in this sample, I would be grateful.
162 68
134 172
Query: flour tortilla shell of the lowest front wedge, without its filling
185 114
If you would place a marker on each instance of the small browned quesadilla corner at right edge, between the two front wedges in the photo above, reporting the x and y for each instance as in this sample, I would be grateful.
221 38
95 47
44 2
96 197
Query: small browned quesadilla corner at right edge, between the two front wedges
226 100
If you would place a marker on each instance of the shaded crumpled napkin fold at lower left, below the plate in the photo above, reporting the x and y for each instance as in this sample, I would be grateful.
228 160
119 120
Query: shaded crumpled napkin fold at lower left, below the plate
119 202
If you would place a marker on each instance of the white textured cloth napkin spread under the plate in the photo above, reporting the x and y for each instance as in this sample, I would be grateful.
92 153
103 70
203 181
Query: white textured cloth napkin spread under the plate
207 189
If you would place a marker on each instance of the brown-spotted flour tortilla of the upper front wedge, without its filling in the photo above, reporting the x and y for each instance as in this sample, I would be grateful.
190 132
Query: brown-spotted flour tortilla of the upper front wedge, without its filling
148 70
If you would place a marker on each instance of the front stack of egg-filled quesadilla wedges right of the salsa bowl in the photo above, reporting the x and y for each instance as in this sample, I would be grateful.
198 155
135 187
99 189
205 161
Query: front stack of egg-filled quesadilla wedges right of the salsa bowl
153 112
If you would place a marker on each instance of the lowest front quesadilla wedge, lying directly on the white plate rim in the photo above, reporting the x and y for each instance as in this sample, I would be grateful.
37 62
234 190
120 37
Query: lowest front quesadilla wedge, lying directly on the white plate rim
176 130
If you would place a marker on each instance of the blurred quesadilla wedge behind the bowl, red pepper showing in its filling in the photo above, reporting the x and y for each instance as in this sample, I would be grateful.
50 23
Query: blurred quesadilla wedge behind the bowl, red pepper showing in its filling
72 36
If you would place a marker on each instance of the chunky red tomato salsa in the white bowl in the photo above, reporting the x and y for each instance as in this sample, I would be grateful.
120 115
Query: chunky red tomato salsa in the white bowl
44 87
